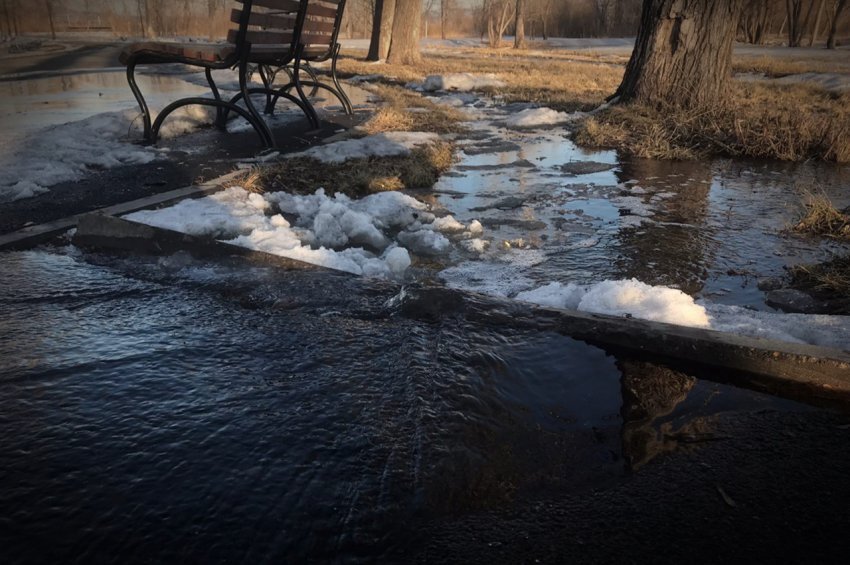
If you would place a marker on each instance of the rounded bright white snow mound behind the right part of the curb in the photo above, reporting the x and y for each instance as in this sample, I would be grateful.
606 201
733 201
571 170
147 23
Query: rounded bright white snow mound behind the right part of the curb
620 298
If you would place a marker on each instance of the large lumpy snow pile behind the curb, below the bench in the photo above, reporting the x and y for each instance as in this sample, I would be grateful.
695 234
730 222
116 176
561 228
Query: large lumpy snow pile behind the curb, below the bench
370 236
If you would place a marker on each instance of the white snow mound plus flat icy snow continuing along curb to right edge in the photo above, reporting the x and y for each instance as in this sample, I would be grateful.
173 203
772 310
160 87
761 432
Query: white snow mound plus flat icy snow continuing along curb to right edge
662 304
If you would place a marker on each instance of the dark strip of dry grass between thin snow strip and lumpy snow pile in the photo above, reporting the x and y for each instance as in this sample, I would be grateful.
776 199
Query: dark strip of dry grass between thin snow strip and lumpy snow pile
356 177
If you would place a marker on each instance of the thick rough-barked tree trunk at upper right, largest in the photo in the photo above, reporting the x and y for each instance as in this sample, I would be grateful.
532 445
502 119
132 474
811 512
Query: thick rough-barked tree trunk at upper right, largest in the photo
683 52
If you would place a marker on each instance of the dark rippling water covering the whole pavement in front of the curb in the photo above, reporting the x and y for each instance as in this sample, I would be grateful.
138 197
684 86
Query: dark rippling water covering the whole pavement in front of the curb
169 409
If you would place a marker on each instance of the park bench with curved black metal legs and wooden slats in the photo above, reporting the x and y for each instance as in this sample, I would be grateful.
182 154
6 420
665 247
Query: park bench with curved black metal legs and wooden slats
269 33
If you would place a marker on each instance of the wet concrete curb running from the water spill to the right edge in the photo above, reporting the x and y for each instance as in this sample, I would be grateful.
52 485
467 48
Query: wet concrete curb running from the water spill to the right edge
800 372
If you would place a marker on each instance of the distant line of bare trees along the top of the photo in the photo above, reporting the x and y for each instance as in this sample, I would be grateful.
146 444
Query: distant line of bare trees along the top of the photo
792 22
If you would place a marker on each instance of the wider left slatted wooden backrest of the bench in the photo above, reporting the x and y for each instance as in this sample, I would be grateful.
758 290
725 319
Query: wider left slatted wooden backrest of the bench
271 24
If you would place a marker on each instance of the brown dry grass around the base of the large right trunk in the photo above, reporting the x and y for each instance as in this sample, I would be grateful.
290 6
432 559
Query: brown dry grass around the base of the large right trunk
790 123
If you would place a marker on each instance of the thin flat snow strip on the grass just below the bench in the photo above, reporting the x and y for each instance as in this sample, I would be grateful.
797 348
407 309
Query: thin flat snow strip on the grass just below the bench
387 144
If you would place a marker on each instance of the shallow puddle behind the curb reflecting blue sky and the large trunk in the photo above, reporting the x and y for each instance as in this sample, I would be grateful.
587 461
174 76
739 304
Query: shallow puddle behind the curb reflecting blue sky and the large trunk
712 229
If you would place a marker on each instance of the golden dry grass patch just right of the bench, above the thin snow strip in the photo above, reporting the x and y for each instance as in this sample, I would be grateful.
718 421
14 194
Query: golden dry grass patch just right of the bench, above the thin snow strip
407 111
